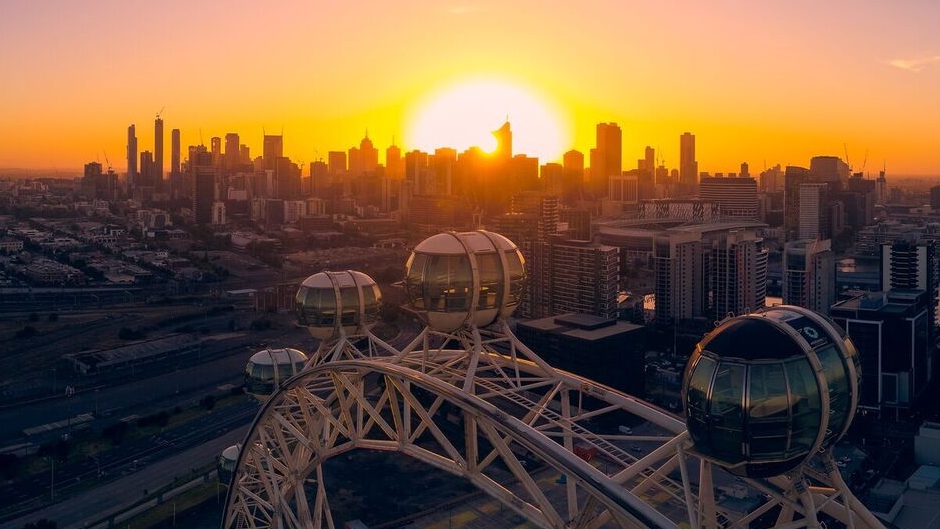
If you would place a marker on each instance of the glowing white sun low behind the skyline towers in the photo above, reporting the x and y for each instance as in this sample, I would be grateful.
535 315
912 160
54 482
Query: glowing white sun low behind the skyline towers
463 115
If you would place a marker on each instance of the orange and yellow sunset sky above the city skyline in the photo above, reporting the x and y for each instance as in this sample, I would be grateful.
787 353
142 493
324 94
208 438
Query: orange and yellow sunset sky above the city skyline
756 81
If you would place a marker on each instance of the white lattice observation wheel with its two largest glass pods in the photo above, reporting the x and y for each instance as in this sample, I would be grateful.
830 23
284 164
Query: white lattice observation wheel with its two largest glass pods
559 450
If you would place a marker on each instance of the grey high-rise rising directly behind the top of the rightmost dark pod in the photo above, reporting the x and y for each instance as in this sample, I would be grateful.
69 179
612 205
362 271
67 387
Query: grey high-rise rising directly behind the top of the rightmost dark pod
809 274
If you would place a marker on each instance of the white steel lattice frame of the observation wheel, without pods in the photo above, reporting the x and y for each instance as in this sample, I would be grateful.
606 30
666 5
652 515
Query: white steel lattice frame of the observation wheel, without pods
520 421
